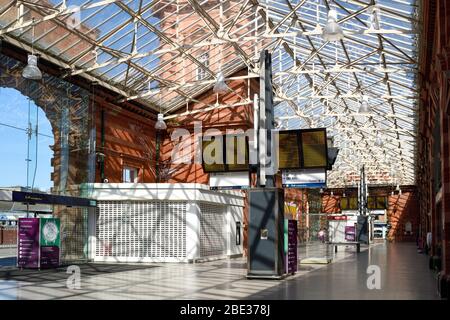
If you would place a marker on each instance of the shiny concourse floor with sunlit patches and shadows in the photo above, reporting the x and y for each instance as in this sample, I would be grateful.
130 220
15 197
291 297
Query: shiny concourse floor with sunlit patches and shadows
404 275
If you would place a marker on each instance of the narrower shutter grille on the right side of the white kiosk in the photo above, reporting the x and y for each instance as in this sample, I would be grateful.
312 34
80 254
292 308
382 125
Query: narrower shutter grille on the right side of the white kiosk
212 230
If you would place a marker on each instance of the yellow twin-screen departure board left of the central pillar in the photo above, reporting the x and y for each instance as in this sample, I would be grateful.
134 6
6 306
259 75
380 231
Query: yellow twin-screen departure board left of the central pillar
225 153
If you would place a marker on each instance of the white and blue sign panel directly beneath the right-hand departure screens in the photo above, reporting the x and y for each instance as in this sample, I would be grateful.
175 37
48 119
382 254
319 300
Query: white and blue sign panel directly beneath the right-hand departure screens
309 178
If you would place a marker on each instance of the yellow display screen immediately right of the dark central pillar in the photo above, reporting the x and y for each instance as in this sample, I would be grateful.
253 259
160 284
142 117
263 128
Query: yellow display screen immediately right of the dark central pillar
288 150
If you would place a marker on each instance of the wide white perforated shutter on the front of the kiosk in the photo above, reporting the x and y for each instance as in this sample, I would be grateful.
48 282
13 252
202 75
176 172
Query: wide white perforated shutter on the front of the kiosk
141 229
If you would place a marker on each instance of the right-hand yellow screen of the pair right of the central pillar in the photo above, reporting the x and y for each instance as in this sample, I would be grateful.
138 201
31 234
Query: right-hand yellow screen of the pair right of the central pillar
314 148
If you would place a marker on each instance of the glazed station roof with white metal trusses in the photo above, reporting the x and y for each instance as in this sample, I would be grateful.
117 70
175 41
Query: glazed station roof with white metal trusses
165 53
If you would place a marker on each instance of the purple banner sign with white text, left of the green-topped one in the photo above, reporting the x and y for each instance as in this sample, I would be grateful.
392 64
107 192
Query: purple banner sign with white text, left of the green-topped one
28 243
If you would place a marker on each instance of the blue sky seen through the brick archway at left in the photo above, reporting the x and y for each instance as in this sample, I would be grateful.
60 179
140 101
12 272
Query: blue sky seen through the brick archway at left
13 142
